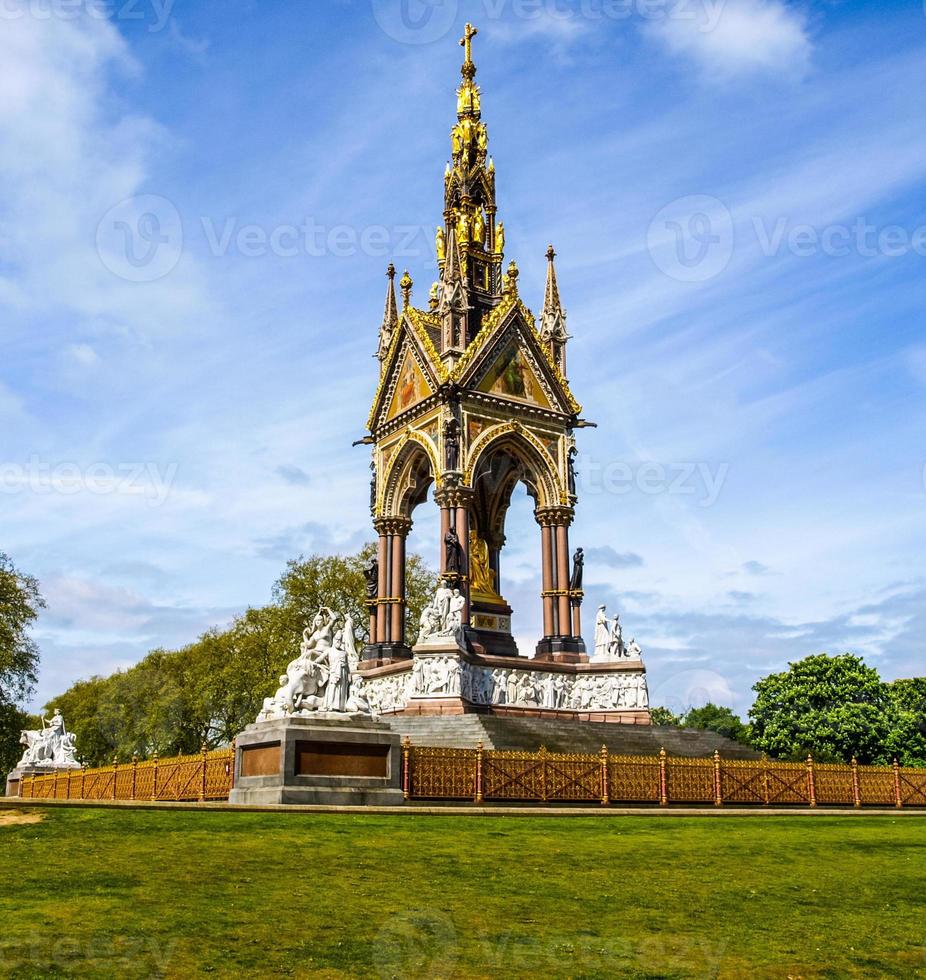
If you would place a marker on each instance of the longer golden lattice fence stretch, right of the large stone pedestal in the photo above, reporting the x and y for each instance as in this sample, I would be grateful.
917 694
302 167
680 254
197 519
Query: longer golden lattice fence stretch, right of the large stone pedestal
547 777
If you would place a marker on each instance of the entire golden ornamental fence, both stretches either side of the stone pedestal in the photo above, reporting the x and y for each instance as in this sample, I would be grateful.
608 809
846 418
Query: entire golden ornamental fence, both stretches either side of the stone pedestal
432 773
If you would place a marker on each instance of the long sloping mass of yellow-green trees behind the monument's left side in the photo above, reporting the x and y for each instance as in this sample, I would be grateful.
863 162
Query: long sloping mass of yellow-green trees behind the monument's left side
172 702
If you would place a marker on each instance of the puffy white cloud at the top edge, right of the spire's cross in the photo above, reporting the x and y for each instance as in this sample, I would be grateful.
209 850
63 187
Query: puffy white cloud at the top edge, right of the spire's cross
745 36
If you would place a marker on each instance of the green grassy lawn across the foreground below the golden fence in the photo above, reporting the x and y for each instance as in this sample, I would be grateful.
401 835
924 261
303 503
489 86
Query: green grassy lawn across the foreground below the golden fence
91 892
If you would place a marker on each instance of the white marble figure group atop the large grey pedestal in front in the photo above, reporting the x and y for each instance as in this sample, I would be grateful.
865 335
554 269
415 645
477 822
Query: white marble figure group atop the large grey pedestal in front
321 678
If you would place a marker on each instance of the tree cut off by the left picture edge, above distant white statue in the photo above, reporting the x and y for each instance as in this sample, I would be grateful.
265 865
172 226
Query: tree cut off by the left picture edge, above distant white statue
20 602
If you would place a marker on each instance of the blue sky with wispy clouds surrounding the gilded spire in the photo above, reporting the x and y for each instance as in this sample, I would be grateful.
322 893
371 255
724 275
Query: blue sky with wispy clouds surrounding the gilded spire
735 193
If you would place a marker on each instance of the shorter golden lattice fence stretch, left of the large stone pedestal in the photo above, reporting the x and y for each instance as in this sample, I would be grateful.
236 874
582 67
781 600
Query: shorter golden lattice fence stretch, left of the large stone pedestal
188 778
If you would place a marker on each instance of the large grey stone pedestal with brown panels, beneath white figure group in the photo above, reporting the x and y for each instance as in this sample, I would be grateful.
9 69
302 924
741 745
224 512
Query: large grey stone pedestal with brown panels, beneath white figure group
325 758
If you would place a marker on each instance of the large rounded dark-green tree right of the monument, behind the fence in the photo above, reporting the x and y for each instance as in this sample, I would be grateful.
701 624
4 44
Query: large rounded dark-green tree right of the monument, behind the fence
833 708
